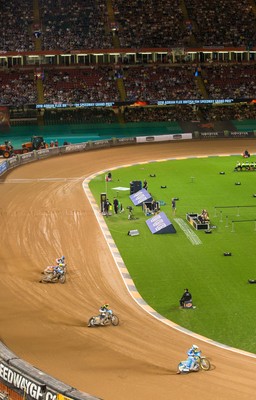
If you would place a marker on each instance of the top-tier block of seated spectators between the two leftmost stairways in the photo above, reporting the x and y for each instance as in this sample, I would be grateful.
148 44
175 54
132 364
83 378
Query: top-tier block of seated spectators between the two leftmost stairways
82 27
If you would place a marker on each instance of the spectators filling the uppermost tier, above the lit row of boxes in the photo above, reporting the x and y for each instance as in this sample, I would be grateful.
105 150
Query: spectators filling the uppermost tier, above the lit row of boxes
65 25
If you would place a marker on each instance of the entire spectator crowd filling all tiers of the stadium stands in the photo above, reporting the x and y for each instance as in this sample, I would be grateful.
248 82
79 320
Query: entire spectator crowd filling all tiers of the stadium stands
96 24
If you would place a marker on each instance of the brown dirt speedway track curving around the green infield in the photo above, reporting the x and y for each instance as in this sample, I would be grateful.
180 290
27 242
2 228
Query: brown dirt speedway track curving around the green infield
46 324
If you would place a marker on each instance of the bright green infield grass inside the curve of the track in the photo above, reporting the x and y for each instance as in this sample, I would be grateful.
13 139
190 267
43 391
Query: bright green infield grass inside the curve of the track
163 265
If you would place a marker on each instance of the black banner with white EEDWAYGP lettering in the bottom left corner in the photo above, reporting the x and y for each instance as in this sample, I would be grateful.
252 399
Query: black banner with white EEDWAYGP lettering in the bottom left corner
23 384
